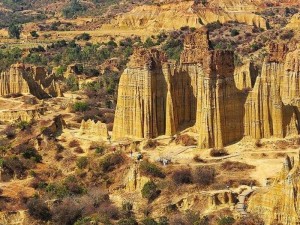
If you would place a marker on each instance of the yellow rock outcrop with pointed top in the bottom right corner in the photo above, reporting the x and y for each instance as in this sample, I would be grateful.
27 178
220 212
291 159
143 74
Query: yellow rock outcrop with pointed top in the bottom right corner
280 201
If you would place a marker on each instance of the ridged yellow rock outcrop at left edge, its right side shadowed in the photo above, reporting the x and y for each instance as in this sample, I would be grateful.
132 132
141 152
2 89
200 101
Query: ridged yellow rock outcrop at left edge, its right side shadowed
23 79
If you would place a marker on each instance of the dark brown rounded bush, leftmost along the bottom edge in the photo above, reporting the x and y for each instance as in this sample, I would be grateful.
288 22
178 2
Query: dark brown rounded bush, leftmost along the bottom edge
38 209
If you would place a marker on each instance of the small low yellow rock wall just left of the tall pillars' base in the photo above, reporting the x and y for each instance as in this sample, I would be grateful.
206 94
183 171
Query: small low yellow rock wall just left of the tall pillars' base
90 127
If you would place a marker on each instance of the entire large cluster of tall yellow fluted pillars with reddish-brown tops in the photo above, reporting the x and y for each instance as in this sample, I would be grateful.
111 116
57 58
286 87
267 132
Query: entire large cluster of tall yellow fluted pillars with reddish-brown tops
224 103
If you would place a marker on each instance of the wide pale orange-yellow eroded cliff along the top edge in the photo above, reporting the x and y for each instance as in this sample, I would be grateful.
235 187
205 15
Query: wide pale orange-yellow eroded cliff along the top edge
168 15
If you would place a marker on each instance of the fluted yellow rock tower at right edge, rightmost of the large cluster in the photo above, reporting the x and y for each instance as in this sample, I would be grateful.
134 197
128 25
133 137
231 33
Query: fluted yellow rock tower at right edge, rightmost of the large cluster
269 109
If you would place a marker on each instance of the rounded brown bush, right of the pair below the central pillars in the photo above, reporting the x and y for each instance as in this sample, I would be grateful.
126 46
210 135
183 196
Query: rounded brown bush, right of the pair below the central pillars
204 175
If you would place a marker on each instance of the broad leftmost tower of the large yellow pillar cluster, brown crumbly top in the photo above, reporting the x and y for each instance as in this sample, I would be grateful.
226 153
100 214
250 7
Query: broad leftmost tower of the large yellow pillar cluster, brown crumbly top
142 95
